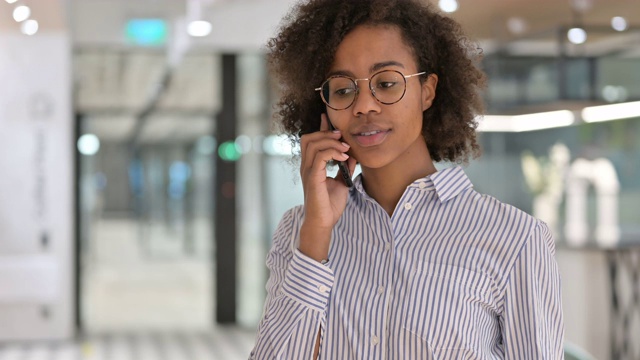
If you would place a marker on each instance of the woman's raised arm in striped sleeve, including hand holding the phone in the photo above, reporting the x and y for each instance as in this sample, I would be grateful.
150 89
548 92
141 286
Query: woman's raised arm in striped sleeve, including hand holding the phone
299 285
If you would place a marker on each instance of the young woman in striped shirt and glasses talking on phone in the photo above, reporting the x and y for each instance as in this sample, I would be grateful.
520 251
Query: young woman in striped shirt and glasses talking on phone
410 262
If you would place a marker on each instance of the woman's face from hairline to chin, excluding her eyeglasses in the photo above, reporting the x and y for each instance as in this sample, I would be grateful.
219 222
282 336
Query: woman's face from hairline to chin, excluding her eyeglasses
381 135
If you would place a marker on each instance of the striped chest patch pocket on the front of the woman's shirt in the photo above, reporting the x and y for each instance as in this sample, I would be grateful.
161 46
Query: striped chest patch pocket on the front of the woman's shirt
448 307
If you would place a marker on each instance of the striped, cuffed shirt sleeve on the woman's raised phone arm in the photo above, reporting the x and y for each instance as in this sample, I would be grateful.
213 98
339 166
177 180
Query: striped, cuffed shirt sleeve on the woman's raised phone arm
298 291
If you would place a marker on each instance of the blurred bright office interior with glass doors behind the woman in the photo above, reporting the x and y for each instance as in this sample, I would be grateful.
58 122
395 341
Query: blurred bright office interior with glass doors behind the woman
141 177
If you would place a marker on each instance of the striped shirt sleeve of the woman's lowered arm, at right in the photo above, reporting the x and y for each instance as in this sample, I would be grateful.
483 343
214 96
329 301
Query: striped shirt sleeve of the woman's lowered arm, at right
532 320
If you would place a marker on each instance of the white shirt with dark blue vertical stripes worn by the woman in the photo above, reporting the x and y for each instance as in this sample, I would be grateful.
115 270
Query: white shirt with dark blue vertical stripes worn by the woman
452 274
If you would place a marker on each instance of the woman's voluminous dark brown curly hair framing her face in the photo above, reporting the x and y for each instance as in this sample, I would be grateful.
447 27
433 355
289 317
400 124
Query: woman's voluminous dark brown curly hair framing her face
301 55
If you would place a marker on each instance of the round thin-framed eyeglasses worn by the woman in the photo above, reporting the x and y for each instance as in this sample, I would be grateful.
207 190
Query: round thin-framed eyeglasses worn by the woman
387 87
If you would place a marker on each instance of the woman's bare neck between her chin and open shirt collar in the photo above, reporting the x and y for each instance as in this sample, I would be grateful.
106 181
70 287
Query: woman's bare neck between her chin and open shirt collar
387 184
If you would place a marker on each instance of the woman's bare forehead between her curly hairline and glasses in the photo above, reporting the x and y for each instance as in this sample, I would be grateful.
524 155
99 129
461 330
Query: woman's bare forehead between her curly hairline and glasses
368 45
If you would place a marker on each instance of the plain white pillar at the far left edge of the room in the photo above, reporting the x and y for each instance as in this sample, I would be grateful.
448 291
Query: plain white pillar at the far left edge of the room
36 185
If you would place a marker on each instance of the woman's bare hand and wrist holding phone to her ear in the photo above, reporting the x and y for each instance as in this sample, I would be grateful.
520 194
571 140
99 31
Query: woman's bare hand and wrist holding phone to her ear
325 198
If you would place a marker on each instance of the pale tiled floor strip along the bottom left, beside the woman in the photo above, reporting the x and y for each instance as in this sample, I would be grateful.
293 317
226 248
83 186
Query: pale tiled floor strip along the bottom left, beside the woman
223 343
